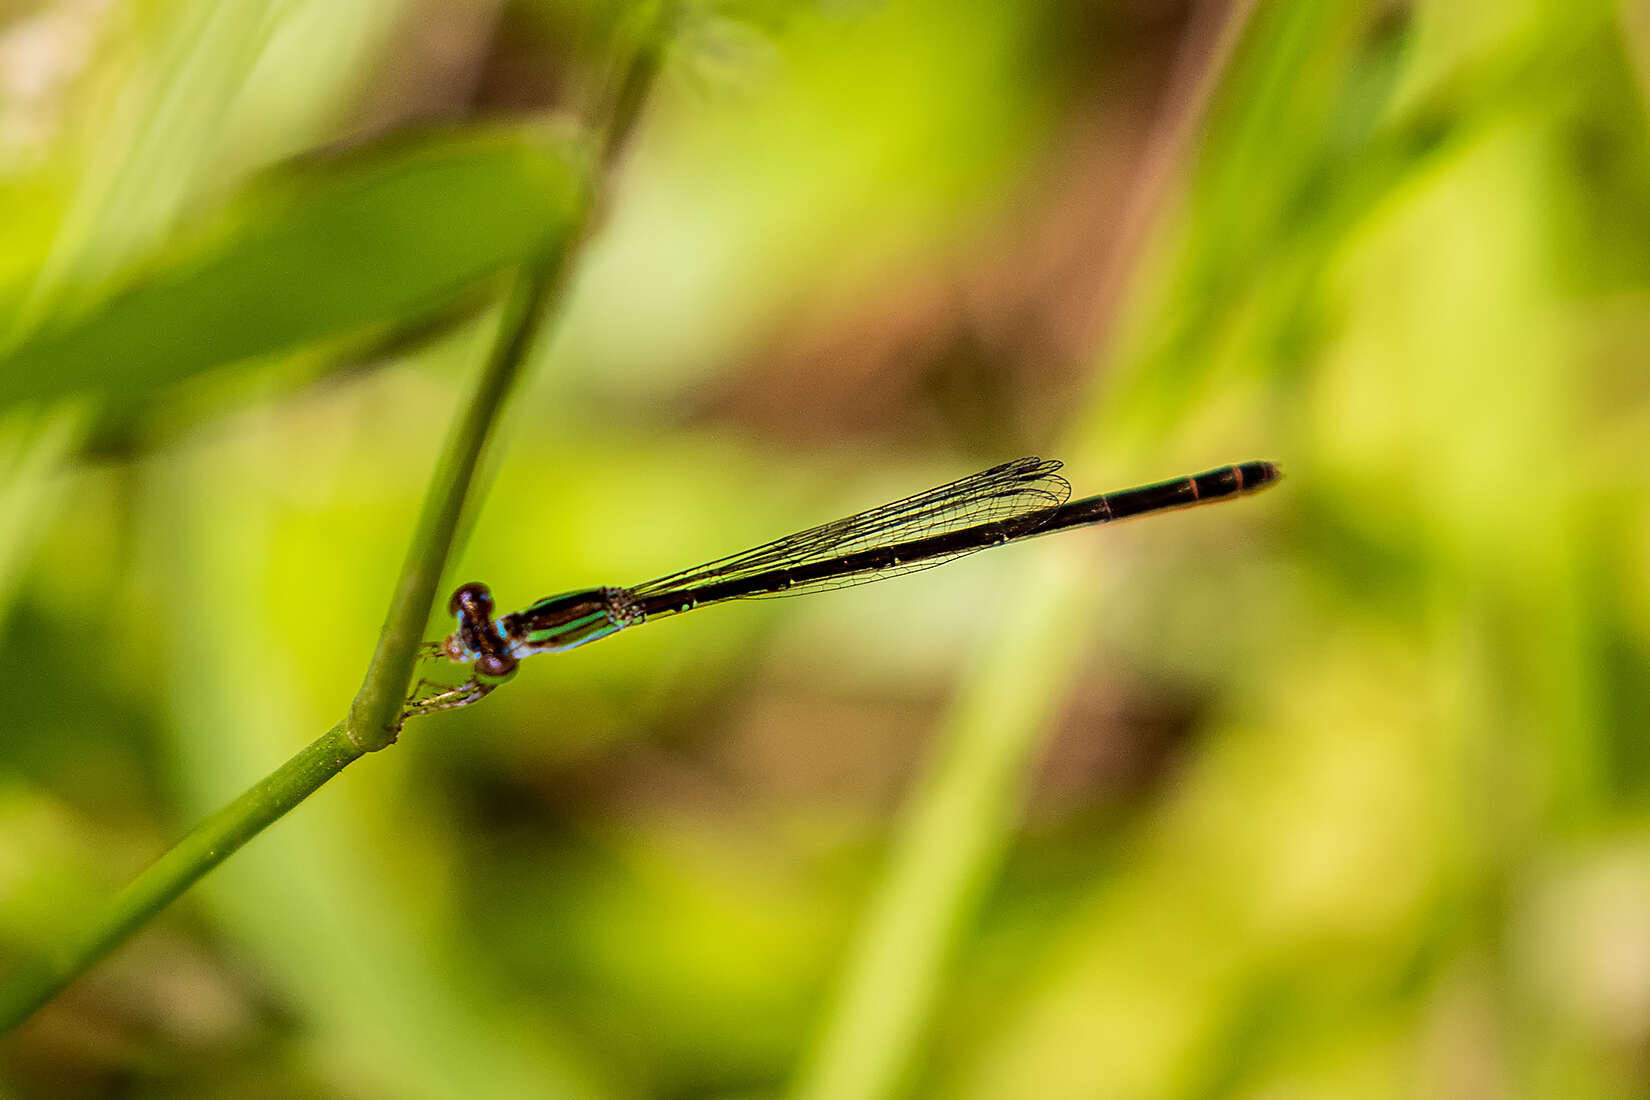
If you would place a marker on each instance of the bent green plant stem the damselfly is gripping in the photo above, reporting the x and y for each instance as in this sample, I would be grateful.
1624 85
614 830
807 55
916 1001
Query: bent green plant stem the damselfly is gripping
375 715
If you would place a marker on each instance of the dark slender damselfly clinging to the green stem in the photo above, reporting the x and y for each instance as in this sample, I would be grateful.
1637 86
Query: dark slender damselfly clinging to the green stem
1017 501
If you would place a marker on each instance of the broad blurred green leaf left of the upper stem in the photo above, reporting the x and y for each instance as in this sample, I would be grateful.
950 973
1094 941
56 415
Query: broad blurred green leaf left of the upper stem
314 250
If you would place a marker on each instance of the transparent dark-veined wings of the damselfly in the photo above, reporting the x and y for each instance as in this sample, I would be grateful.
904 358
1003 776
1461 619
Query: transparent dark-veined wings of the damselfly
1002 492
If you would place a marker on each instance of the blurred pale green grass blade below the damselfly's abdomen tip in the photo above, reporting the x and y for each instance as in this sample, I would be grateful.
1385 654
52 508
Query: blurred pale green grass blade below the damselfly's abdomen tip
950 847
